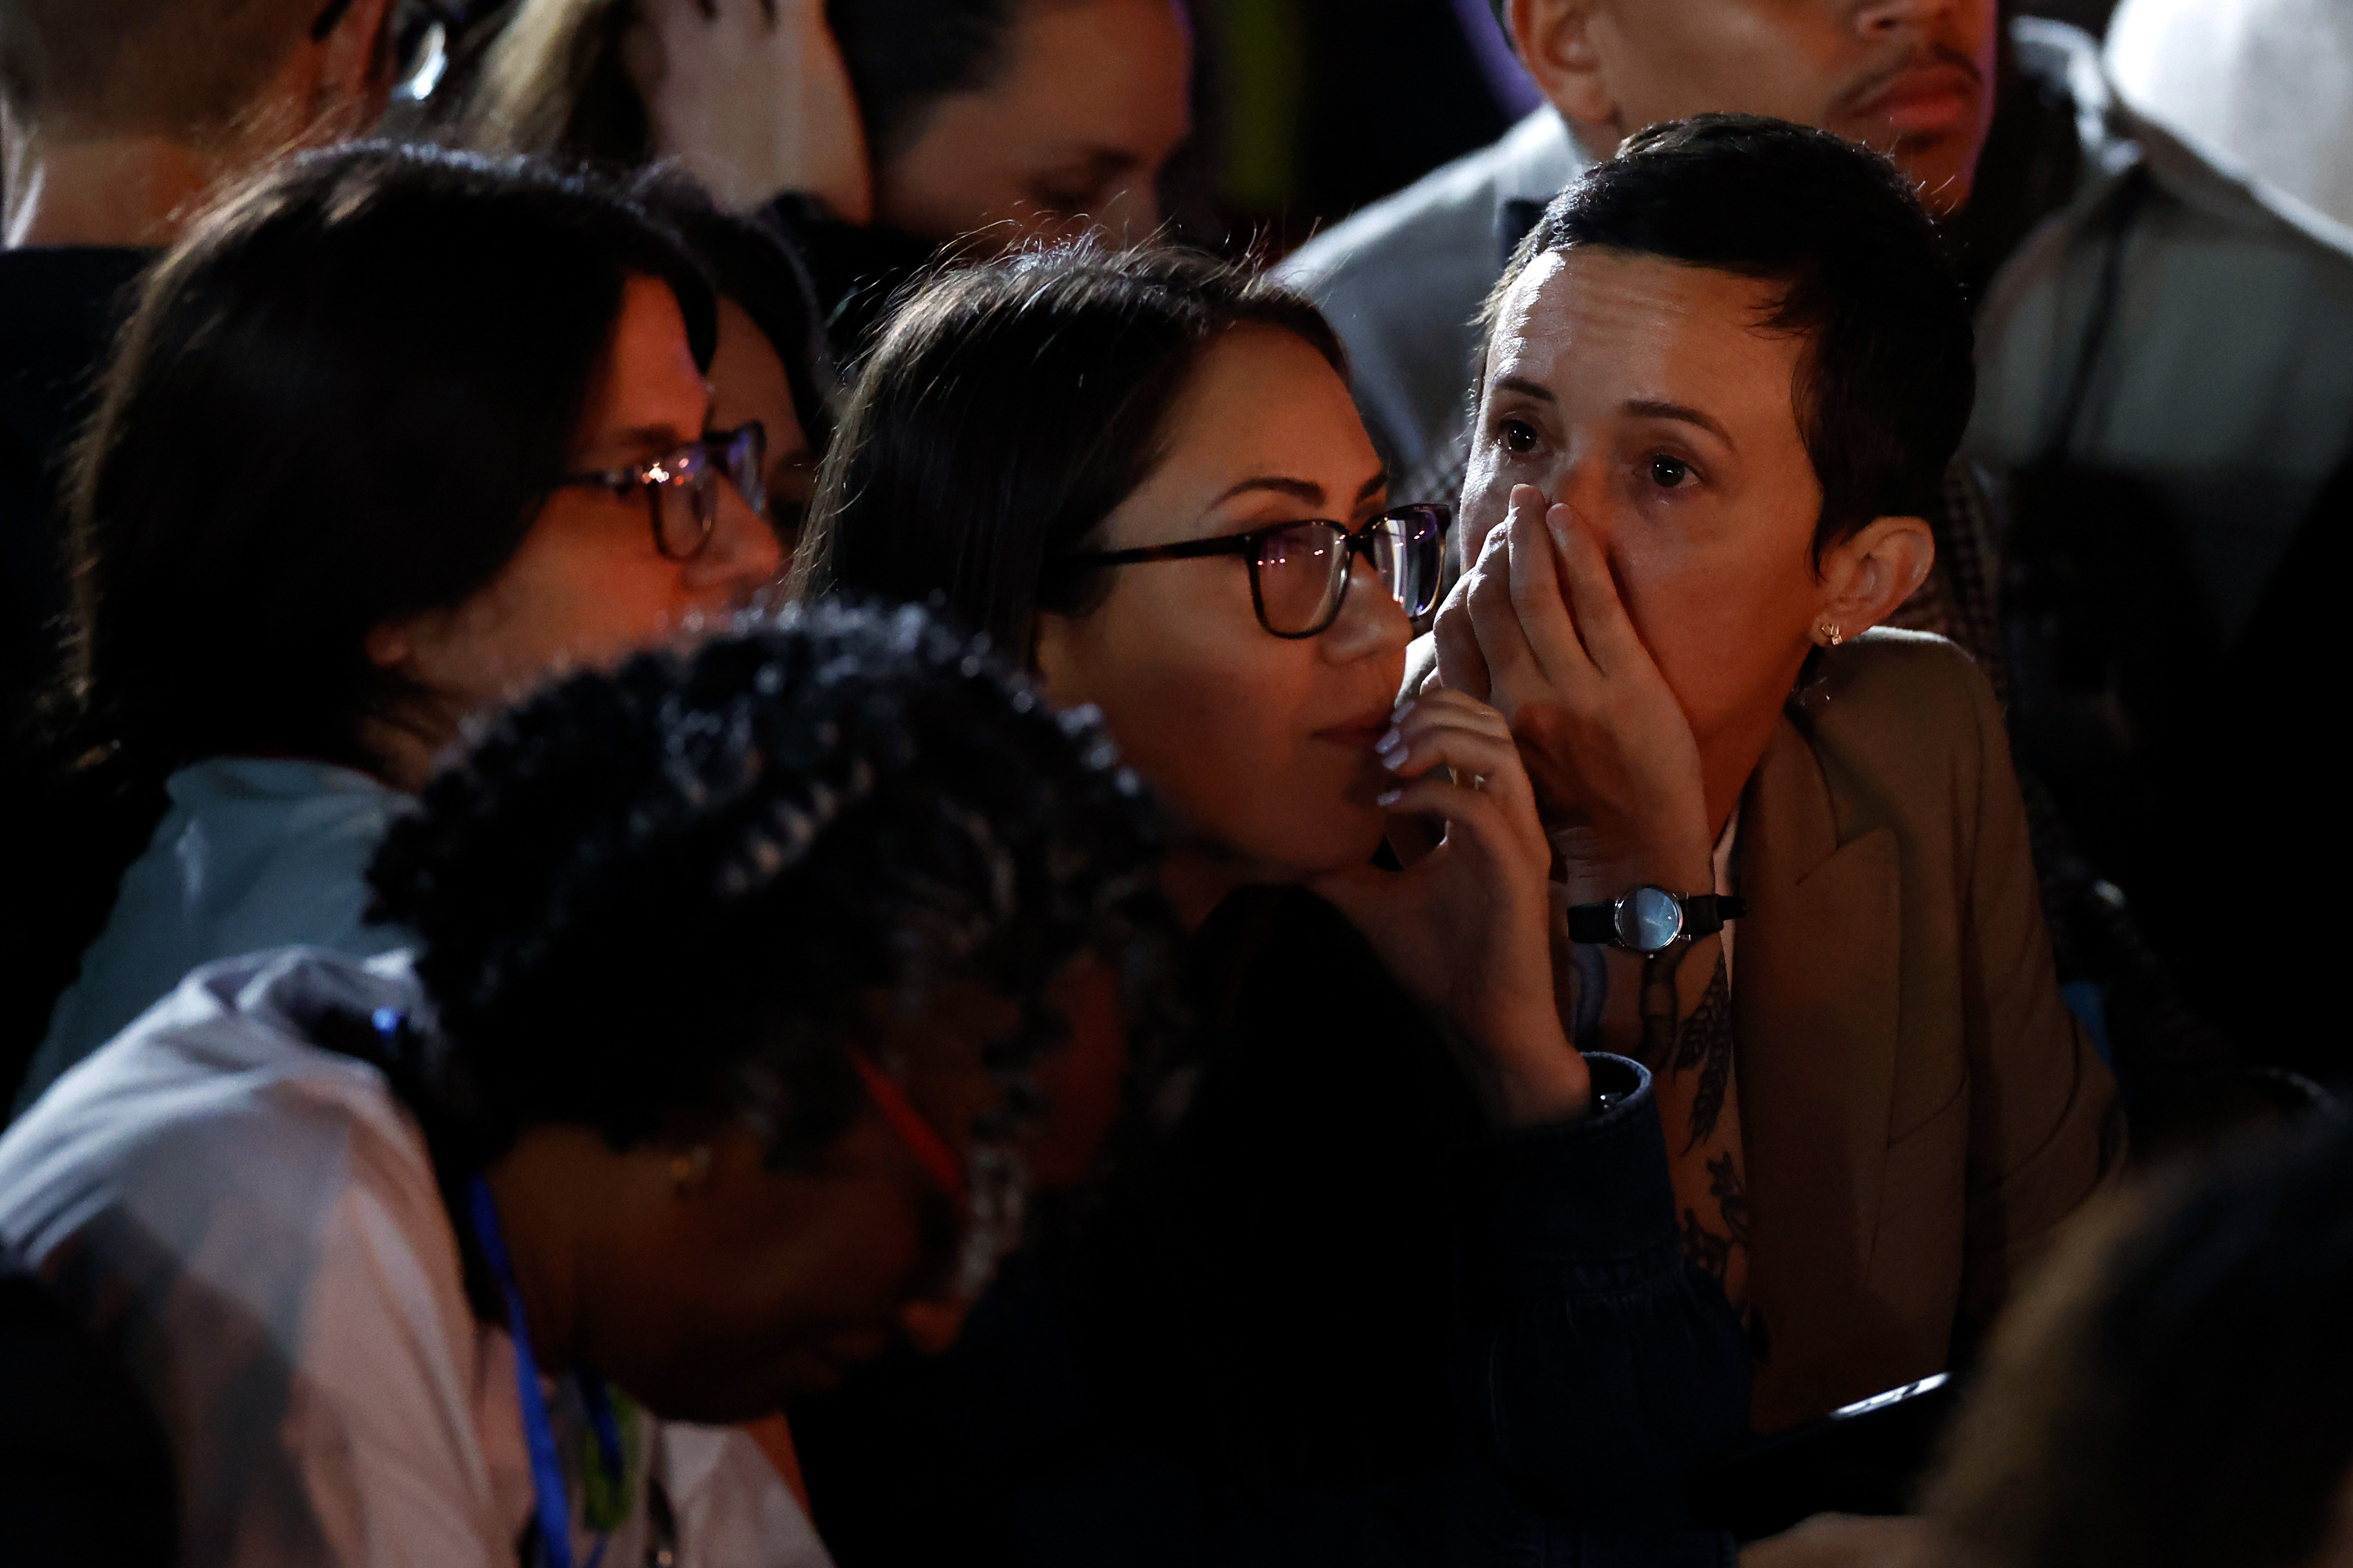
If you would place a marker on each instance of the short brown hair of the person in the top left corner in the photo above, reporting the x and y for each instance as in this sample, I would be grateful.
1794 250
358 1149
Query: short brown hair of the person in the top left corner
182 69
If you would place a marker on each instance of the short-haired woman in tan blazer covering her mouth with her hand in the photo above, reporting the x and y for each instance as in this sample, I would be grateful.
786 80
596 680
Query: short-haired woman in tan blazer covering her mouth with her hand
1728 373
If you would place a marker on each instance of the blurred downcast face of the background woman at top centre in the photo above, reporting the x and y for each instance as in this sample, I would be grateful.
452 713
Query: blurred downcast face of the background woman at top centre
1086 109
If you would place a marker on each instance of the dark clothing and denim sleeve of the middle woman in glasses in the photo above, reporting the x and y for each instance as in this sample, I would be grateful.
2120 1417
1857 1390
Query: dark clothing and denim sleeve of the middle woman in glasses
1328 1320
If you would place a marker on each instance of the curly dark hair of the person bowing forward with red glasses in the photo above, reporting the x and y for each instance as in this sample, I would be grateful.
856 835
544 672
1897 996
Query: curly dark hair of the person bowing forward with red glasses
662 892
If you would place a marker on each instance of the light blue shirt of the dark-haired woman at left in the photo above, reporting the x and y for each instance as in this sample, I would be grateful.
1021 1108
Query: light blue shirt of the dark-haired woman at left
255 852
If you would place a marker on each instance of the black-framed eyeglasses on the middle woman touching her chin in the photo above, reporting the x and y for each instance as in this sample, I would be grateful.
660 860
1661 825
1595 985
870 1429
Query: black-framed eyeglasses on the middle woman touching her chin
1300 572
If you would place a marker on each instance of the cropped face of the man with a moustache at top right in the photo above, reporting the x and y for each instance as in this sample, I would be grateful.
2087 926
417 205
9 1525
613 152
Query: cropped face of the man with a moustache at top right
1912 79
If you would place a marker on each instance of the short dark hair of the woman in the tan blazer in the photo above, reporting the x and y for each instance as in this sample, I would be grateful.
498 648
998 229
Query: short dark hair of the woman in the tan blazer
1888 375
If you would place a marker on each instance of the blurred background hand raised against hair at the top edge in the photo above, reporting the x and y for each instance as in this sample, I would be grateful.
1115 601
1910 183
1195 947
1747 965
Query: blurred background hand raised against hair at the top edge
752 98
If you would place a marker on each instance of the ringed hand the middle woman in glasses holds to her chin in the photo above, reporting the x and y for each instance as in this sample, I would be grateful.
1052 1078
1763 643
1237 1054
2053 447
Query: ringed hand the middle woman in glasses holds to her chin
1467 927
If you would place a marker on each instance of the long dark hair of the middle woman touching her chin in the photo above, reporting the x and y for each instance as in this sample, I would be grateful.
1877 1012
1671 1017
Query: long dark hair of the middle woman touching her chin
1006 413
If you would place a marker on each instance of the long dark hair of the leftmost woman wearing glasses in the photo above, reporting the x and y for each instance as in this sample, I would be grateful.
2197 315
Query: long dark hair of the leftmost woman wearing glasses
340 403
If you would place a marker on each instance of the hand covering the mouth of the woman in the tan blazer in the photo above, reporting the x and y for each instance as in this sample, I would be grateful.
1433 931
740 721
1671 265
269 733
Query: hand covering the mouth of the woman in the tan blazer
1540 631
